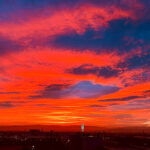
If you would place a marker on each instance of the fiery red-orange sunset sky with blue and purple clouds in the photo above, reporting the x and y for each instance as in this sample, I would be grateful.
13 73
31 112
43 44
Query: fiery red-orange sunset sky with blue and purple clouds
67 62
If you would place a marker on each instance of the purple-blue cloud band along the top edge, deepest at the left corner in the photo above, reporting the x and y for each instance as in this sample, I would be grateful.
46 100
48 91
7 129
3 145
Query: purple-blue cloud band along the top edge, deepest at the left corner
7 7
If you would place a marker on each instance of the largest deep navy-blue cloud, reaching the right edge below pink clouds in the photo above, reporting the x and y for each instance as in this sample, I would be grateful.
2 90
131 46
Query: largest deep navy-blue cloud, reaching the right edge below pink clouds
122 35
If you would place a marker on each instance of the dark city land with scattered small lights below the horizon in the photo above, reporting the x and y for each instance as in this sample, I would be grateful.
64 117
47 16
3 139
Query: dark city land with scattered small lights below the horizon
36 140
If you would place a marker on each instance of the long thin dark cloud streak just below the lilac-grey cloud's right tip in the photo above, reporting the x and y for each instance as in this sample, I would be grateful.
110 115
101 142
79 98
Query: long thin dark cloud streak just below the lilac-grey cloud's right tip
128 98
